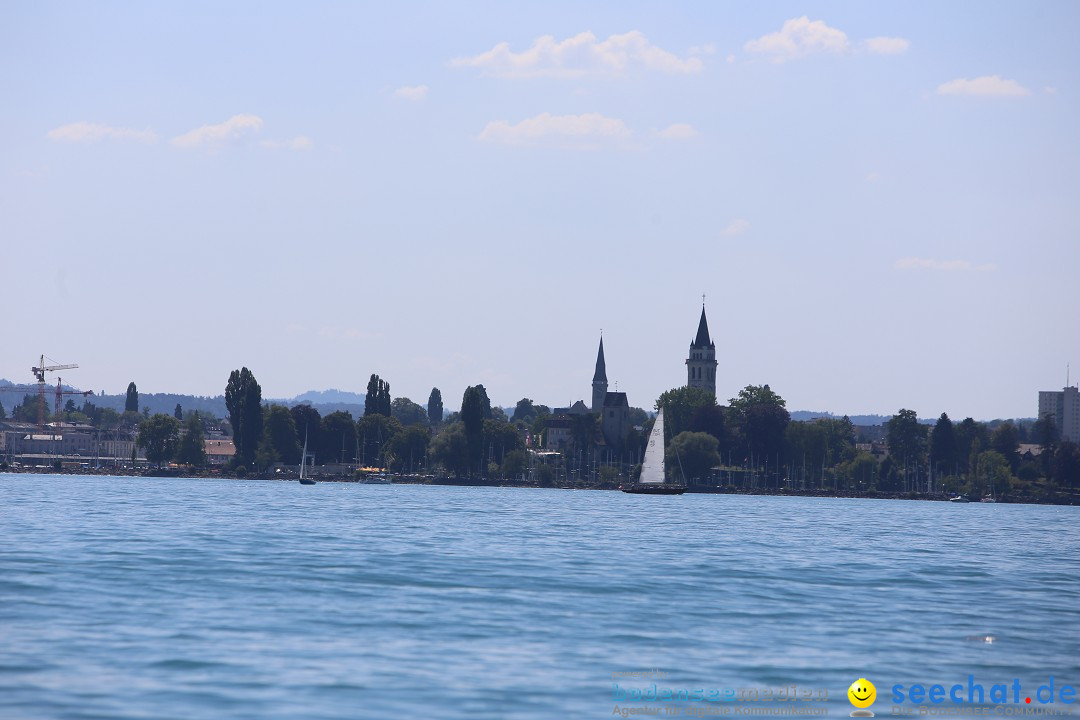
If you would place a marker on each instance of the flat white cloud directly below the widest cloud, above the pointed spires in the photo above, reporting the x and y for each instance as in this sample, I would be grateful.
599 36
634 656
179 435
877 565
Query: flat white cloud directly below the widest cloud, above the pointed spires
585 131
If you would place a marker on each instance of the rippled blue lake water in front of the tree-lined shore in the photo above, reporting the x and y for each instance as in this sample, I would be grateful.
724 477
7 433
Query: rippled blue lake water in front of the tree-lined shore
197 599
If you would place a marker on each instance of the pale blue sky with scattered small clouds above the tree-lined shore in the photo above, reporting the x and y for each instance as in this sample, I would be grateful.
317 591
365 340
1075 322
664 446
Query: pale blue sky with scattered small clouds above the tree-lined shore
880 201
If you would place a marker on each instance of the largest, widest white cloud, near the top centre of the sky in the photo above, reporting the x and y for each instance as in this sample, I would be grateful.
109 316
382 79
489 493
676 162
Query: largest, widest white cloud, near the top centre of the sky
579 56
